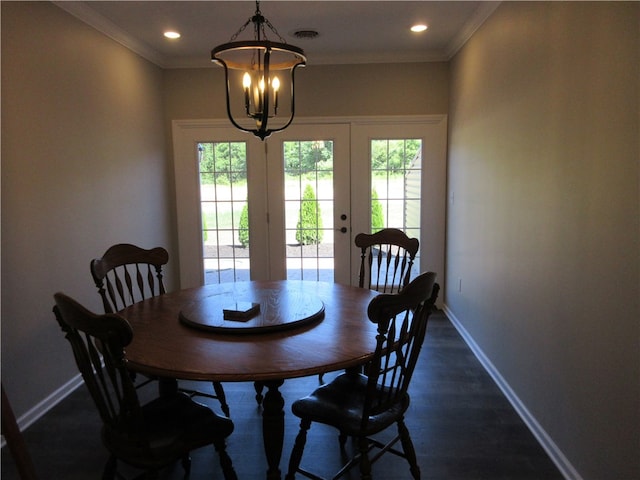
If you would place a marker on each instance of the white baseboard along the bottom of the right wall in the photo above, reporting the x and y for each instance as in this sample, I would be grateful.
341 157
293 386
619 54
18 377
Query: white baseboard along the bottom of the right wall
556 455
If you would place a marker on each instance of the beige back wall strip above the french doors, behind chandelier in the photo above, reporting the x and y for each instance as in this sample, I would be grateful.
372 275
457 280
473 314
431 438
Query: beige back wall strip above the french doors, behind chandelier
322 90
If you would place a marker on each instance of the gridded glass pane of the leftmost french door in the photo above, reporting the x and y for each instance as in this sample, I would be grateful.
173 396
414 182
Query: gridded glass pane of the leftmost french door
224 211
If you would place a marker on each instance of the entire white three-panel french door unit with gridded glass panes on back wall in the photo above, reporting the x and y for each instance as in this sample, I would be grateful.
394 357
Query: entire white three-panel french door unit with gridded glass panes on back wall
290 207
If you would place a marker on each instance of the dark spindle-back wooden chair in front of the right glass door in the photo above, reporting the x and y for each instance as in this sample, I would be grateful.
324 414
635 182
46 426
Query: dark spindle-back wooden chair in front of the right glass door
386 259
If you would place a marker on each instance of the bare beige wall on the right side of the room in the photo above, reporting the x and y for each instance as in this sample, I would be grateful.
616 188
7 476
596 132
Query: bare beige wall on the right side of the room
543 229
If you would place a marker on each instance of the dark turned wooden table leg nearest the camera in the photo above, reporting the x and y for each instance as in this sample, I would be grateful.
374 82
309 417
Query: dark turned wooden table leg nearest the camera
273 426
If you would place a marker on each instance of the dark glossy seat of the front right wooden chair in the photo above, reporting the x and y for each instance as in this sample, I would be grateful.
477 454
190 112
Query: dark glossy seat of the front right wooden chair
339 403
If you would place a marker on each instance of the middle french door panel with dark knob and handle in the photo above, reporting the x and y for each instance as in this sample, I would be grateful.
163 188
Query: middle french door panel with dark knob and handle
309 205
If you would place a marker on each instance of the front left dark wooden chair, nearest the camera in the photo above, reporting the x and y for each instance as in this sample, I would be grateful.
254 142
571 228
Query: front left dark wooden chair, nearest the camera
150 436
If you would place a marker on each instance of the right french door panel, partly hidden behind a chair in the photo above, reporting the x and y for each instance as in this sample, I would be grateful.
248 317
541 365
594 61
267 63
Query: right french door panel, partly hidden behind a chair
401 165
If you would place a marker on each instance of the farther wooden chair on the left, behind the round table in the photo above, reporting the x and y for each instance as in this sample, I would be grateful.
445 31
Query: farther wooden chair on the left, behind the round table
126 274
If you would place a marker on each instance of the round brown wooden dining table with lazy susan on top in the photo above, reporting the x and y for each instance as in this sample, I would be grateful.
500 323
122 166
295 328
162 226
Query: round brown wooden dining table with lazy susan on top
253 331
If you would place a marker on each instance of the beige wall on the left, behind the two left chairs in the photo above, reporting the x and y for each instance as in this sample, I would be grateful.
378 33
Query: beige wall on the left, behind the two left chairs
83 167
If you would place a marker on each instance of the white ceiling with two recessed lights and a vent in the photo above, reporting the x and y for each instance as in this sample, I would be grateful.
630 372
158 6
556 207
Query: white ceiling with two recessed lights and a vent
349 31
